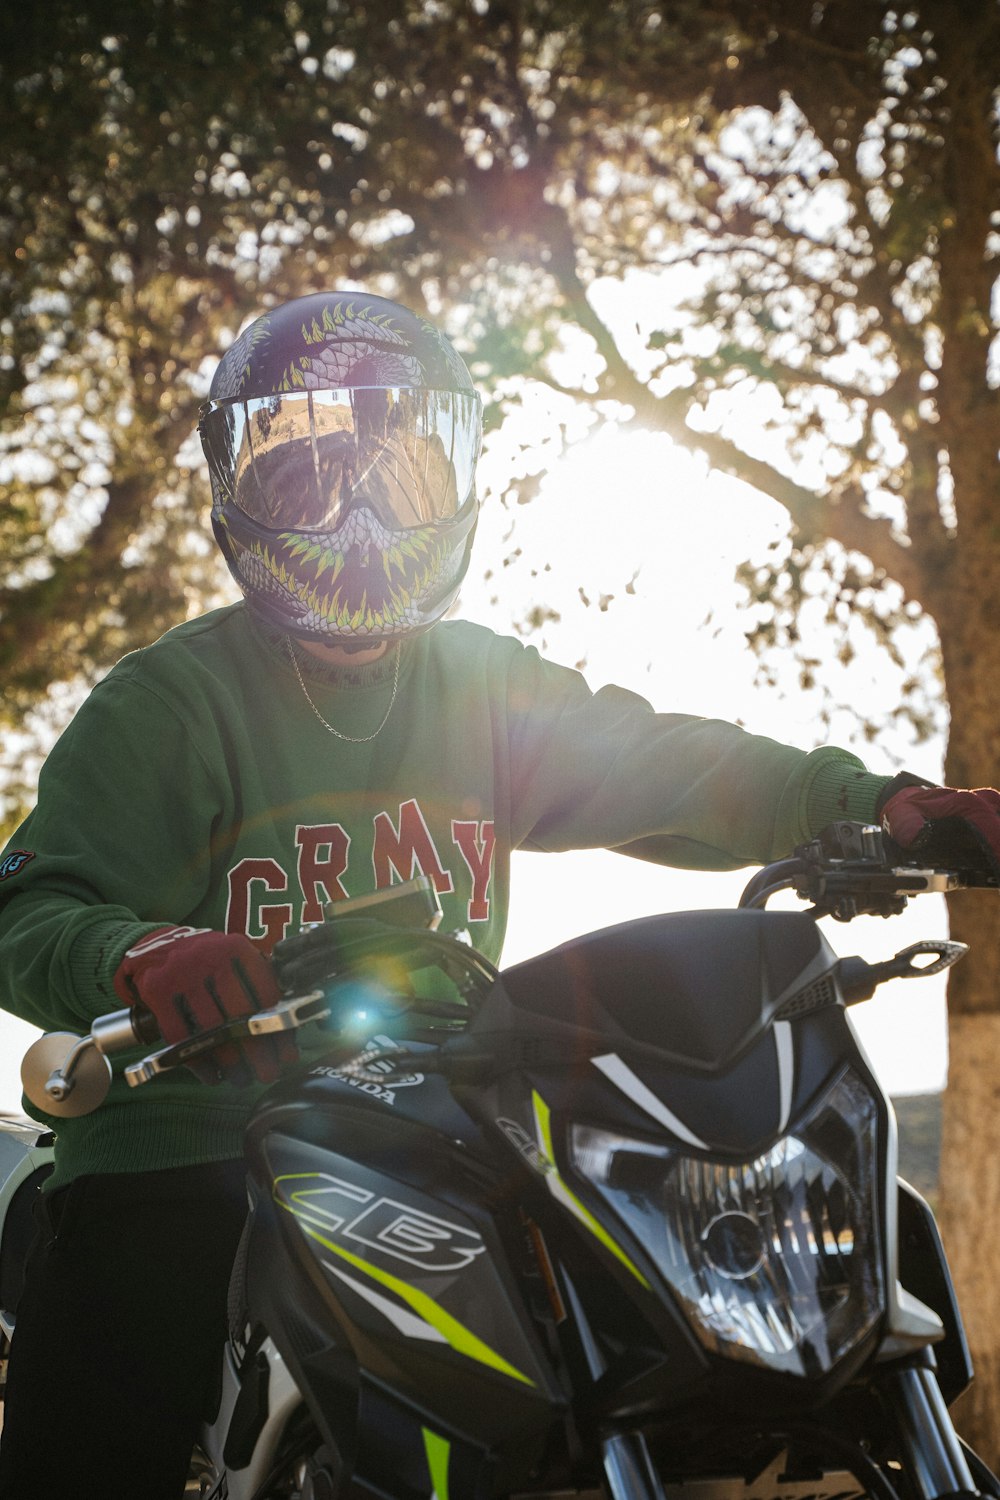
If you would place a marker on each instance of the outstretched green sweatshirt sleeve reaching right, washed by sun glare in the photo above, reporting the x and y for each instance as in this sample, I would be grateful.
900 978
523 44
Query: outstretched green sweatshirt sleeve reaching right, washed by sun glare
605 770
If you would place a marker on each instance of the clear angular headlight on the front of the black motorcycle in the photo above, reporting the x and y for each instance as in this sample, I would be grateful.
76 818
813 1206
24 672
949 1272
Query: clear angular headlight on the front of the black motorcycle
774 1261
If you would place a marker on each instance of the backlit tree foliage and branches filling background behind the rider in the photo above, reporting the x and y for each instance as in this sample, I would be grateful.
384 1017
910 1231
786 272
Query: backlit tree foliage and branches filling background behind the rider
821 179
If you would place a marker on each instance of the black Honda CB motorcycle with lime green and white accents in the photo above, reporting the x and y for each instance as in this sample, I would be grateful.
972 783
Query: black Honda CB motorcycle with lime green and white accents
623 1220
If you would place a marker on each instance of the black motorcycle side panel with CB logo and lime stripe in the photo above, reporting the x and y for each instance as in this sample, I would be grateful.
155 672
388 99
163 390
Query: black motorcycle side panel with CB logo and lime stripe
394 1223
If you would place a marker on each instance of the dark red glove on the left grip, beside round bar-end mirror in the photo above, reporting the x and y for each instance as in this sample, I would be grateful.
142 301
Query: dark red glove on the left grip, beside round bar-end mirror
194 979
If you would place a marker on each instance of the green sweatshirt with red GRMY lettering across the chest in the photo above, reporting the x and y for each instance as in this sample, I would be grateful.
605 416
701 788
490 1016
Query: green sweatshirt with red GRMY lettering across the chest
197 785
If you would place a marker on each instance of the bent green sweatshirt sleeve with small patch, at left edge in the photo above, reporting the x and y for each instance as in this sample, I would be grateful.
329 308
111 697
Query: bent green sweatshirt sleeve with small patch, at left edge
113 850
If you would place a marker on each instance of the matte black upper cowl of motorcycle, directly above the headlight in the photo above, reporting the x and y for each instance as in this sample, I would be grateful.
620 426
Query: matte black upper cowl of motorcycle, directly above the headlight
698 988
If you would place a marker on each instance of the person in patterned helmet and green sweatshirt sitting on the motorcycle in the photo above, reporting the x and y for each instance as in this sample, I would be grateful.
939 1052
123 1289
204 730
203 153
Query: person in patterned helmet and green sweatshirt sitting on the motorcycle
331 734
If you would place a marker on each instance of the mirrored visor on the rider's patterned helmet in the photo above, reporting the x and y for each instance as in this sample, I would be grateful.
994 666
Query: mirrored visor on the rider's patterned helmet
298 463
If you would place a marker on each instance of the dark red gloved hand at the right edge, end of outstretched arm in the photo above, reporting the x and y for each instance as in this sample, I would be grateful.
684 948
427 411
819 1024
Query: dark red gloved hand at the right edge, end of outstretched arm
947 823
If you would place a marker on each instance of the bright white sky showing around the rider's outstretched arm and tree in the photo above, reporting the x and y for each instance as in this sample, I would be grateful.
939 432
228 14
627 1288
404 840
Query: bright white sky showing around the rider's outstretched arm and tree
642 529
